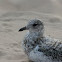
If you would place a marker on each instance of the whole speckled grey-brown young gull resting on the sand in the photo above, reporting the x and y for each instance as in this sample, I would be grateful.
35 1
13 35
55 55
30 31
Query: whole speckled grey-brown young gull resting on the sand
38 47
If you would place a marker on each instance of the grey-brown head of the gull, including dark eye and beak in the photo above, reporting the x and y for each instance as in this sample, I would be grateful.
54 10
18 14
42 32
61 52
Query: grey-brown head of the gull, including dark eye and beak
34 25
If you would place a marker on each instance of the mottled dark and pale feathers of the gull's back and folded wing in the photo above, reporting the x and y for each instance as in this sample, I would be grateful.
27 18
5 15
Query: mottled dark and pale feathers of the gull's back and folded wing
51 47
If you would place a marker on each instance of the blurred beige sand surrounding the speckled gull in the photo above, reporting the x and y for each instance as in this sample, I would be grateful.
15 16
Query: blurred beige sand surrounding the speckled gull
15 14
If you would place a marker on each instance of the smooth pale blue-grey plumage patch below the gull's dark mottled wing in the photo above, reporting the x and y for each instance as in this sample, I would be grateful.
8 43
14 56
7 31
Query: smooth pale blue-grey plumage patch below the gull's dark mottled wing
37 56
